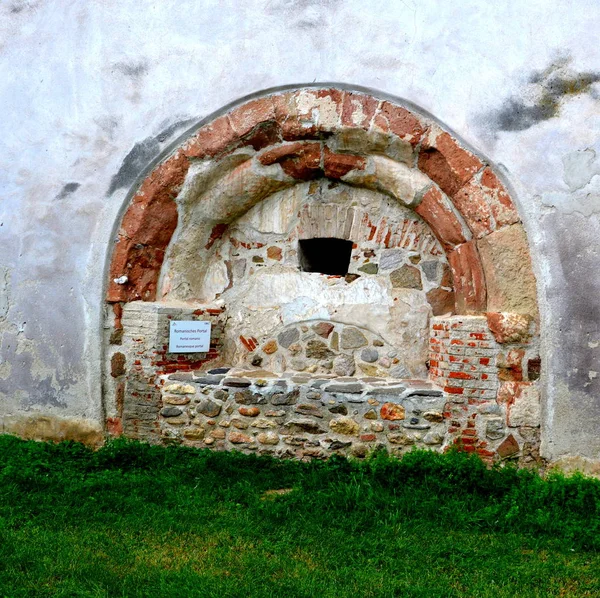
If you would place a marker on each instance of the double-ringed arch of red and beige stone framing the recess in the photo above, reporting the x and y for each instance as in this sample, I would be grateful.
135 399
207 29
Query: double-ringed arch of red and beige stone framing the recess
281 139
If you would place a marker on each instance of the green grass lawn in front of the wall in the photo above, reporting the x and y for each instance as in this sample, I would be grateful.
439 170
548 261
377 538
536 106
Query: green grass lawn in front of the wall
137 520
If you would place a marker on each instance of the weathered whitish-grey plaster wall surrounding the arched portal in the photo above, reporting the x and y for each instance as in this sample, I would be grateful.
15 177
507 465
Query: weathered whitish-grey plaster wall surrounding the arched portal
93 92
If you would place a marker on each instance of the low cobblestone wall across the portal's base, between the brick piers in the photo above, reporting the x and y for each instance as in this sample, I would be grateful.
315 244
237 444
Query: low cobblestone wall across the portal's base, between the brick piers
300 416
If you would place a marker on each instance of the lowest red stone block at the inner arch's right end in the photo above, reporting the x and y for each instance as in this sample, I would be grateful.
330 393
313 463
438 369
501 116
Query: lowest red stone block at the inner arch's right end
469 280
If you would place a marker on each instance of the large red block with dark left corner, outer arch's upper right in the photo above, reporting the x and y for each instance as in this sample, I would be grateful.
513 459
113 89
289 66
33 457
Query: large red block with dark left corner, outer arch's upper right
447 163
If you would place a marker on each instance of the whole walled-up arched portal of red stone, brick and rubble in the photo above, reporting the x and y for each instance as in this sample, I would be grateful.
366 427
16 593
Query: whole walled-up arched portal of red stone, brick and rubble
439 286
